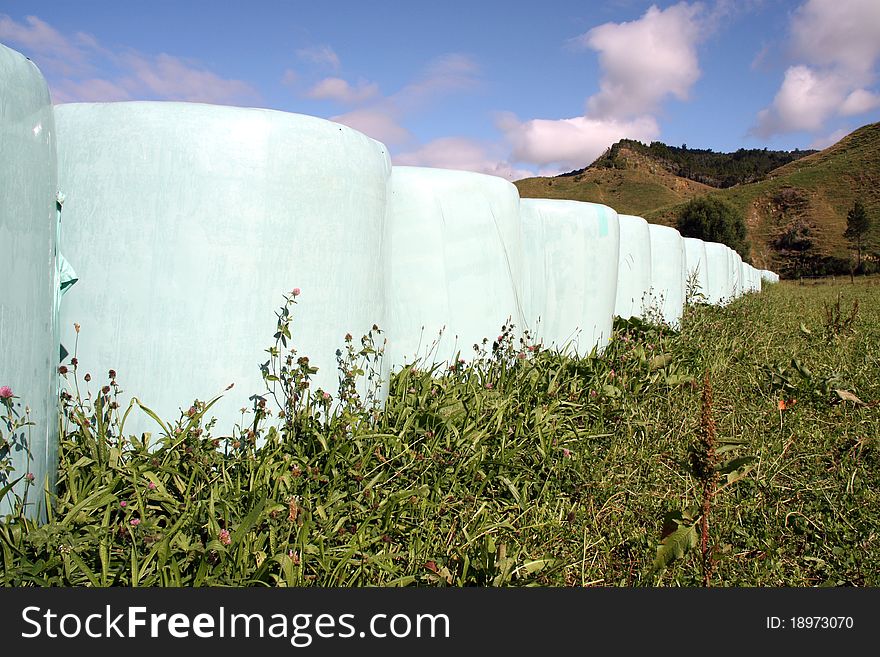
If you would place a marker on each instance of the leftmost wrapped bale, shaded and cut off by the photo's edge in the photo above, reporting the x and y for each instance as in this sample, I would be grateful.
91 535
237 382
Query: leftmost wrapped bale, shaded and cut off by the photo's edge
28 332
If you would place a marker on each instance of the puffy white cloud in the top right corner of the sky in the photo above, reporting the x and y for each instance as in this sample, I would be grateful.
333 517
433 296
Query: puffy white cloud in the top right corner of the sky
838 43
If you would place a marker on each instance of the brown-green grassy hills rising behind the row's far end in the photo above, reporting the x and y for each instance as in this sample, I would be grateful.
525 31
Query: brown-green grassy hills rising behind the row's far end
796 213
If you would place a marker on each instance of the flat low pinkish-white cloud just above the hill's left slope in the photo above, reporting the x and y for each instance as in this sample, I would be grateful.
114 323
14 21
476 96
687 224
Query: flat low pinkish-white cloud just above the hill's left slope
571 143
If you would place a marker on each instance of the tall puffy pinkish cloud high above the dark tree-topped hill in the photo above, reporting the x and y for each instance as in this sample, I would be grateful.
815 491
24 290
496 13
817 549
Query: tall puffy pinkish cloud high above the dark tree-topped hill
645 61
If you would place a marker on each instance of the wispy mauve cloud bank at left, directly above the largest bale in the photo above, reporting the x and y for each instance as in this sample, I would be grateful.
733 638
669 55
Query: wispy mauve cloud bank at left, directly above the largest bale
128 75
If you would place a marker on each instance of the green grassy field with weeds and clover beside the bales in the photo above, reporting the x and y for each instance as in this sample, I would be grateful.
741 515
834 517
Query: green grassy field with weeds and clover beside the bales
524 468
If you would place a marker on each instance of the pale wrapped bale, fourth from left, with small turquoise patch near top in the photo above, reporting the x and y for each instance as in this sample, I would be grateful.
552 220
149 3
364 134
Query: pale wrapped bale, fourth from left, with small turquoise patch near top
570 265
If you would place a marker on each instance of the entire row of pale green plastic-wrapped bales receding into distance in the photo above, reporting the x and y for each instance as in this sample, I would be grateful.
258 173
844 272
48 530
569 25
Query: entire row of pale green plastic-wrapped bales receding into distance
186 224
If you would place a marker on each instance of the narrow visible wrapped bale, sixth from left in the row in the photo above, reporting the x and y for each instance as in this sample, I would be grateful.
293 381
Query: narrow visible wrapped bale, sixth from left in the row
667 272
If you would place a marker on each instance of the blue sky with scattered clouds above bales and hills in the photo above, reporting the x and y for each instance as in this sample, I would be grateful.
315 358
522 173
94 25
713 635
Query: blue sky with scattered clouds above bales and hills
510 88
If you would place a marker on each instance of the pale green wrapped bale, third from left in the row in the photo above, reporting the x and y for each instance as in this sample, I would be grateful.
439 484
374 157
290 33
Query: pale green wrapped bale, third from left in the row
452 263
